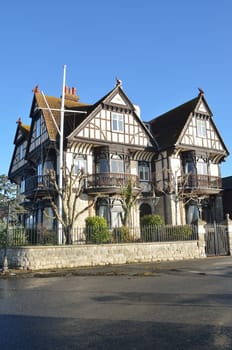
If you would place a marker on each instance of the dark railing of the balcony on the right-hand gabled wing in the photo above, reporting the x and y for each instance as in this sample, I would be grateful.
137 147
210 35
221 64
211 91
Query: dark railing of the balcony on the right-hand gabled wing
195 181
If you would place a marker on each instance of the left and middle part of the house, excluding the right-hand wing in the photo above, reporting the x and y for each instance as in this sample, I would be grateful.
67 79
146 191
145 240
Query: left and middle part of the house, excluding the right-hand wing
107 142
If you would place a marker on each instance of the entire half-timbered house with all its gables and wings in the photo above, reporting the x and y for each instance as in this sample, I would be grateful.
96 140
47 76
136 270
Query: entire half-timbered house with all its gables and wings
172 163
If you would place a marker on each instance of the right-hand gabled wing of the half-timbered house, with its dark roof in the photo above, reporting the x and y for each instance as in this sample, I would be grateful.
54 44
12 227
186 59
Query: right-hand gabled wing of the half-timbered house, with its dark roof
187 167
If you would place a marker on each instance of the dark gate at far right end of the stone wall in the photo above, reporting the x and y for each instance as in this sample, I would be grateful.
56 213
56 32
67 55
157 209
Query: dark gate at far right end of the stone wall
217 240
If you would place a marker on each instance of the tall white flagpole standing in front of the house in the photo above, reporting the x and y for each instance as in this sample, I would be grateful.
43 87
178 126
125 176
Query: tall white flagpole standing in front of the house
61 160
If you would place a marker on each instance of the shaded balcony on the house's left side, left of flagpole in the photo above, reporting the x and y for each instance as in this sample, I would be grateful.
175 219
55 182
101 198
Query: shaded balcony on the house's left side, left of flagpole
38 186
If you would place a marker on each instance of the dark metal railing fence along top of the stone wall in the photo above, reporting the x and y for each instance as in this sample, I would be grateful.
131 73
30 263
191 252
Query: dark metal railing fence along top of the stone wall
19 236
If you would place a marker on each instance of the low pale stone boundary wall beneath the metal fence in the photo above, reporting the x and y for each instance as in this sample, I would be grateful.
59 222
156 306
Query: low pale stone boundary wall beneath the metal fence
49 257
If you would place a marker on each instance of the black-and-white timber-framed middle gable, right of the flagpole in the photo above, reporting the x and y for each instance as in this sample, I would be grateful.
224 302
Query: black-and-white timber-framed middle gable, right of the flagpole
113 120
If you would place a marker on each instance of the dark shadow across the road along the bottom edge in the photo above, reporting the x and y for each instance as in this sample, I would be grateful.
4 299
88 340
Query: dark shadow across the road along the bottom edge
23 332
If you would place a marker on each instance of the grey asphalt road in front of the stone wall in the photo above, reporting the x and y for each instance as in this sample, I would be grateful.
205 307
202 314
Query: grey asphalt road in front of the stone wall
175 305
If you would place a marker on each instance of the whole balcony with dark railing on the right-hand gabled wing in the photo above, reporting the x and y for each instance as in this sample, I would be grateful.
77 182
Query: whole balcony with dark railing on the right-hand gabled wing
202 184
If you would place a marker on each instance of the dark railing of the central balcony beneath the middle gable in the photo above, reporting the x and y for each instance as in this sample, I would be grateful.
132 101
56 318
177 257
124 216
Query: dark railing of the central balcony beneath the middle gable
108 180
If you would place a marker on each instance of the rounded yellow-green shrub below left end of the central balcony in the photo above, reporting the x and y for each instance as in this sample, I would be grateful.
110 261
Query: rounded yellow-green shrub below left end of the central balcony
97 230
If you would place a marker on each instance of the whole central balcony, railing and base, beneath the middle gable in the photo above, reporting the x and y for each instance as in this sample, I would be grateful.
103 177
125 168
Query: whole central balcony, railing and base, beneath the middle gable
111 182
